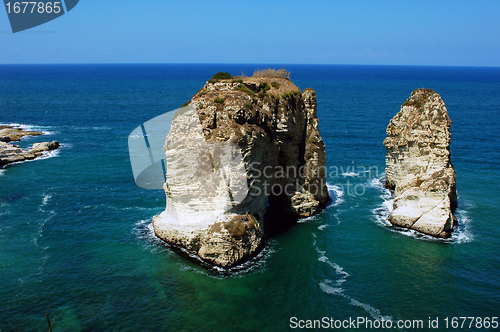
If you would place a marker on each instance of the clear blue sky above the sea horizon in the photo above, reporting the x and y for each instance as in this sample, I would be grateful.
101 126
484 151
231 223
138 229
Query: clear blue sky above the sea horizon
455 33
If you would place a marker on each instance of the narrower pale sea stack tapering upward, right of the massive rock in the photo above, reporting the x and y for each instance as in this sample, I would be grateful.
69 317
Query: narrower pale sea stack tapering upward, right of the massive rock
418 166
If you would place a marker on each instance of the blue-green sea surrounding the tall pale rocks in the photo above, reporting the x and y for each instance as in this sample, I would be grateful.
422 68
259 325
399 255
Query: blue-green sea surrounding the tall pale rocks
76 238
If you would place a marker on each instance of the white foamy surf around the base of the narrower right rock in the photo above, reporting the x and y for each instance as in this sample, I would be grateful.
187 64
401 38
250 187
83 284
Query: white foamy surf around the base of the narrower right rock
460 234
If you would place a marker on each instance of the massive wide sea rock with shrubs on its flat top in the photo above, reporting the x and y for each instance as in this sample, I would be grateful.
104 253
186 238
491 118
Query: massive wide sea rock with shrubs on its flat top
245 143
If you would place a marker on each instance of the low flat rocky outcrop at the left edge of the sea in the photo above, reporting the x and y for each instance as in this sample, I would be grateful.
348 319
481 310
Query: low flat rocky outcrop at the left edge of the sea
10 153
